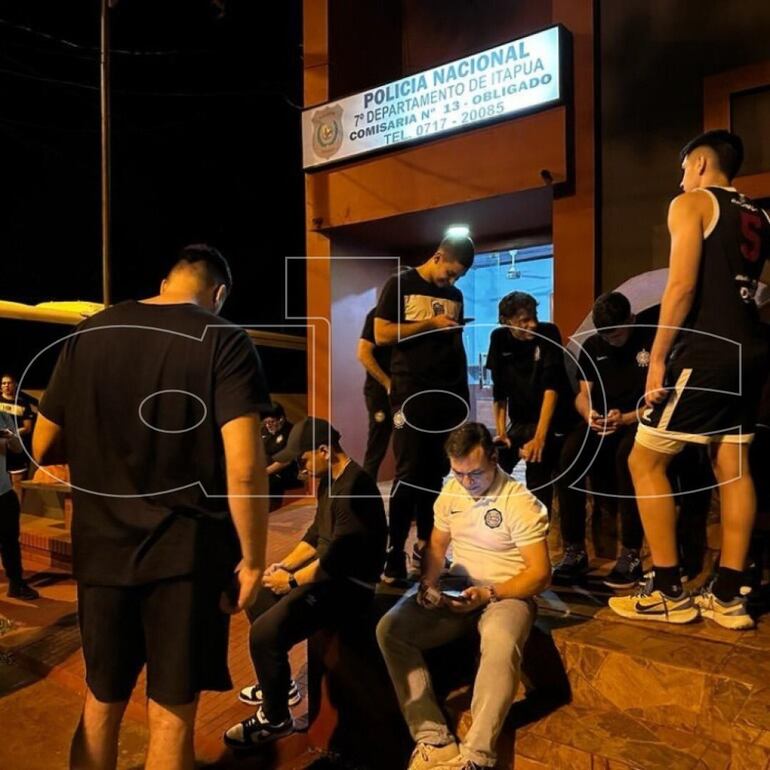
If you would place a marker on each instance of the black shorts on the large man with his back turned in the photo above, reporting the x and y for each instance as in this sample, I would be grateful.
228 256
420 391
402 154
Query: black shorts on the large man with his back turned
173 626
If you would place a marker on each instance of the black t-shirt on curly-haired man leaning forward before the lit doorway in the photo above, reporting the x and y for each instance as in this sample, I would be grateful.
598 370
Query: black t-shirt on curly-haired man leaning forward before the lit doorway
522 370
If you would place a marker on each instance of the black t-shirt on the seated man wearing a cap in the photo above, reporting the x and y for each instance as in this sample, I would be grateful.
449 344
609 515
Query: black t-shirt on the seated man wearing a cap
349 531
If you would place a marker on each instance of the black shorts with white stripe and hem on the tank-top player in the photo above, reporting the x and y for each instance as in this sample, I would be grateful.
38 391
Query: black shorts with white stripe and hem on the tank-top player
705 404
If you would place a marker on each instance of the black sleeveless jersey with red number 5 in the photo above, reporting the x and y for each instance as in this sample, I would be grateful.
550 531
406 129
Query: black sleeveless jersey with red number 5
735 248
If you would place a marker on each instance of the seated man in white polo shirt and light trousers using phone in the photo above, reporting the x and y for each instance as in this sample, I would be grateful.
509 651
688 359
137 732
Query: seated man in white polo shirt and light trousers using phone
498 533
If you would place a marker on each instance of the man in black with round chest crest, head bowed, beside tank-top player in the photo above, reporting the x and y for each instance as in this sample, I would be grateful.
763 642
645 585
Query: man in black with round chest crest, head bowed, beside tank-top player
611 373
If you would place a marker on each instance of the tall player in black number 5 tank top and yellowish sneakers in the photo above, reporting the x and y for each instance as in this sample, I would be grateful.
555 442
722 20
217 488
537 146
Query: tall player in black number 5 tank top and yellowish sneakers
709 346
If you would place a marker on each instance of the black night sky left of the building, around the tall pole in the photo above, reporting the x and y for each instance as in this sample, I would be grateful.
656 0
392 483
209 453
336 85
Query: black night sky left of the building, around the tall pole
206 147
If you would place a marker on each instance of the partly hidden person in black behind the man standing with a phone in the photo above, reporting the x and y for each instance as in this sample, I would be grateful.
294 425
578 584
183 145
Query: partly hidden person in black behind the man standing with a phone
376 361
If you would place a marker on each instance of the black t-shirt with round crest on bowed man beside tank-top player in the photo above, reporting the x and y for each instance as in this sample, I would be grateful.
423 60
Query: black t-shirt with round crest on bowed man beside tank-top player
622 371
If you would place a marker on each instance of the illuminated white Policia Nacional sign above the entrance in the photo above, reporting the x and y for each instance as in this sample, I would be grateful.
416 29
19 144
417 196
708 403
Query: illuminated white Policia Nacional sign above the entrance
496 83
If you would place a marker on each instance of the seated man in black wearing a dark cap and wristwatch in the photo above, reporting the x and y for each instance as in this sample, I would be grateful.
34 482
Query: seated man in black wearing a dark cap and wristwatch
328 577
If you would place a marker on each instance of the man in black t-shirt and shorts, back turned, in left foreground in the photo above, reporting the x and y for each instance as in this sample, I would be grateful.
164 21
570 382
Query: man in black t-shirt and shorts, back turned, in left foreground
155 405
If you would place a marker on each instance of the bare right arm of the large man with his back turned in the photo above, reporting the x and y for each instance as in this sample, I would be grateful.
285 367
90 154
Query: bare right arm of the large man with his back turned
247 496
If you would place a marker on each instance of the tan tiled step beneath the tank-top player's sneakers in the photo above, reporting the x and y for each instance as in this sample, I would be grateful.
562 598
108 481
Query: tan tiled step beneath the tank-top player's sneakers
699 677
